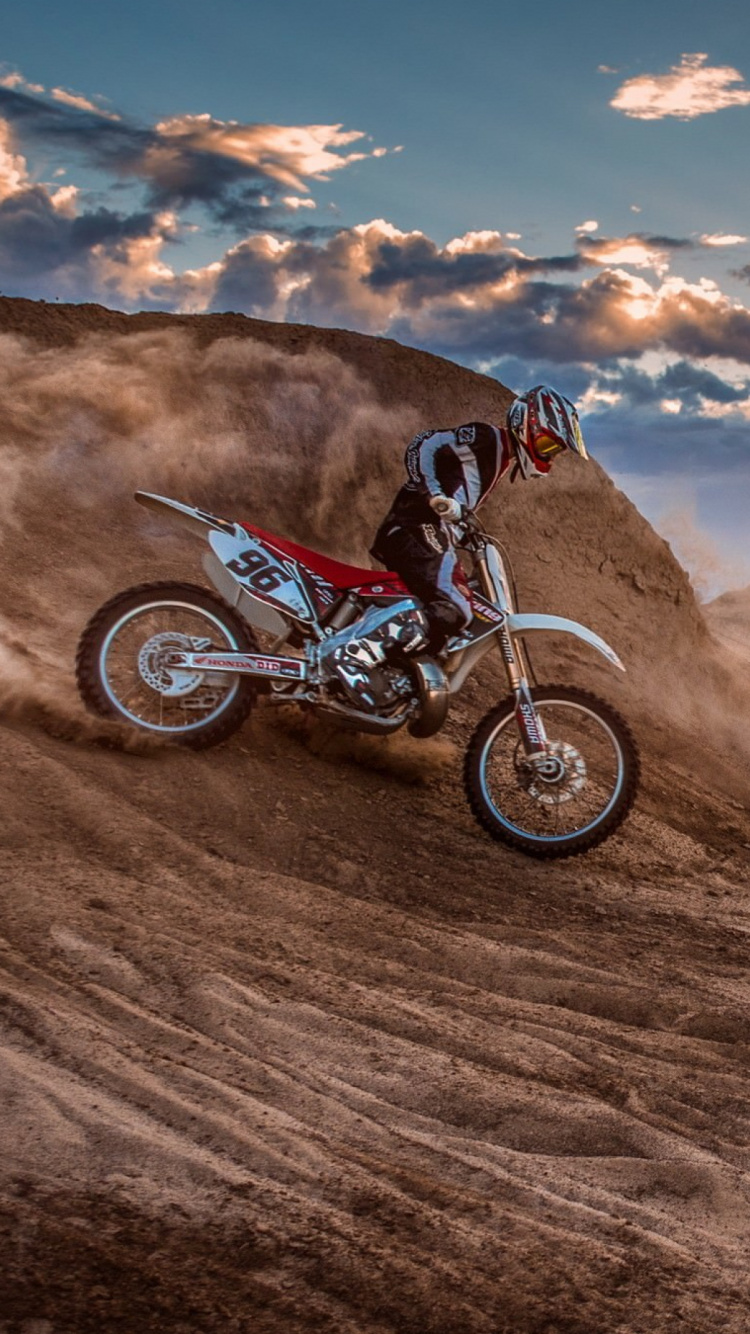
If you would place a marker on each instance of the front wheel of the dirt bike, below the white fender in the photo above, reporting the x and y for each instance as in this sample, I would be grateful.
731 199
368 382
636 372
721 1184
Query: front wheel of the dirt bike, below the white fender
576 798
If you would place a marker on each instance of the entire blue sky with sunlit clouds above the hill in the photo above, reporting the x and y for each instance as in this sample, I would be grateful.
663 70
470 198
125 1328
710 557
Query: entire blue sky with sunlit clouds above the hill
544 193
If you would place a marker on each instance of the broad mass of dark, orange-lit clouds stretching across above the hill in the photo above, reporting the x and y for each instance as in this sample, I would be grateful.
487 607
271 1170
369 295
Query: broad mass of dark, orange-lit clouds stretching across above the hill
607 322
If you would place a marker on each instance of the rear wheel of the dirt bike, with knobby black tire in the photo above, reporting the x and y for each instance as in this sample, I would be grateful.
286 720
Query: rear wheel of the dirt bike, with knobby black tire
122 674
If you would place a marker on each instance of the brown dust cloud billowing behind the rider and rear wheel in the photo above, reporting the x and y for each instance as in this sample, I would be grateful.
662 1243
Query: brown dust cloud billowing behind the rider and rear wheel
294 444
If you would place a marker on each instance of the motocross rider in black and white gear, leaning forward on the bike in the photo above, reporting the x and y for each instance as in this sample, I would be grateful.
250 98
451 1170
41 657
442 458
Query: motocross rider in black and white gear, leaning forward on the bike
449 472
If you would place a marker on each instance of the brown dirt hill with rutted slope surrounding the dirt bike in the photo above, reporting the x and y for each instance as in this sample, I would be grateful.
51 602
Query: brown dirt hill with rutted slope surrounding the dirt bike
289 1044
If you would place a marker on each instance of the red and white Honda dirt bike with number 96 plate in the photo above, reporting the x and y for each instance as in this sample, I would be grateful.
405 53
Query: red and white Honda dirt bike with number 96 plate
550 772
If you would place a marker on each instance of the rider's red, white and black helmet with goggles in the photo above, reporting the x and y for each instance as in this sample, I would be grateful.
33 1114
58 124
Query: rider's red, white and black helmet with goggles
541 425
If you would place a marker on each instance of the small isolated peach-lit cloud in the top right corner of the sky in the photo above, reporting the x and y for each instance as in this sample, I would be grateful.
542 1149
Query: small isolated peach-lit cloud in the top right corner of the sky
693 89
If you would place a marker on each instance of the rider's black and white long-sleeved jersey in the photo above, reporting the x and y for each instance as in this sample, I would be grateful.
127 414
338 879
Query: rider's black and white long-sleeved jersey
462 464
